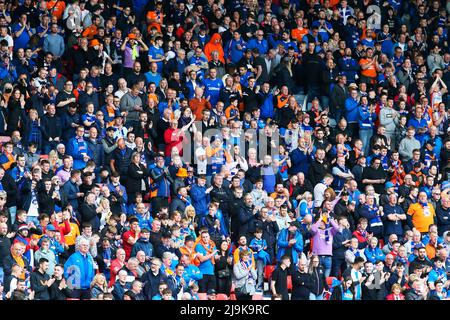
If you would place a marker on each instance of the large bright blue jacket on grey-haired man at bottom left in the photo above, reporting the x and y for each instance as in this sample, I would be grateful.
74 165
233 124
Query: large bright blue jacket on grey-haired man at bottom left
79 270
